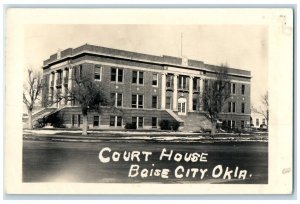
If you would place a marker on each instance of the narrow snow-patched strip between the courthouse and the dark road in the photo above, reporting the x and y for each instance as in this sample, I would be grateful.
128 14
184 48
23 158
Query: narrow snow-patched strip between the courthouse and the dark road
98 136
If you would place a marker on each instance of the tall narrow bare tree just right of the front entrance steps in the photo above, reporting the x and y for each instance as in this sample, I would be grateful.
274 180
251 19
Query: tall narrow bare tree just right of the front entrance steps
215 94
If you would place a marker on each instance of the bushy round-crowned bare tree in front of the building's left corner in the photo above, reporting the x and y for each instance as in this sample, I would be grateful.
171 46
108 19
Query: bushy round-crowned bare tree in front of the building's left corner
89 95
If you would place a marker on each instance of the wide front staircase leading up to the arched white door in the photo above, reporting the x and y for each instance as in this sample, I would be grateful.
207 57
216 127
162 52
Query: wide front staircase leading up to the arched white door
196 122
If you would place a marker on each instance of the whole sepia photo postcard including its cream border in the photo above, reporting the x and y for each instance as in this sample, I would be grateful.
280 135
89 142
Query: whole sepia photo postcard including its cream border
185 97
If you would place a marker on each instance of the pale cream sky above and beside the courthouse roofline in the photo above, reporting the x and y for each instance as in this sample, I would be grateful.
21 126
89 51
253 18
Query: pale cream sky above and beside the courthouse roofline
239 46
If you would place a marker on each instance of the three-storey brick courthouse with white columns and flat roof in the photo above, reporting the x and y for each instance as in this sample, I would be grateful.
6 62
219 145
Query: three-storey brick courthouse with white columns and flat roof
146 89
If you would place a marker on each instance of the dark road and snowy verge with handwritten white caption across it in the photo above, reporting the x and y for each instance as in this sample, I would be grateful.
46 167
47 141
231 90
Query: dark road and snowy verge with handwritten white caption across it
69 157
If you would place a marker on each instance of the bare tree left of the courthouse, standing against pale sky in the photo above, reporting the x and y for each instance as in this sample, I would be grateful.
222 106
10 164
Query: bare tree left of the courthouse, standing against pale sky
32 88
